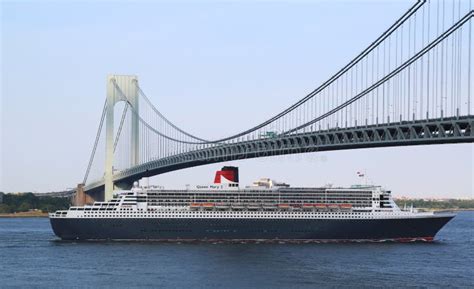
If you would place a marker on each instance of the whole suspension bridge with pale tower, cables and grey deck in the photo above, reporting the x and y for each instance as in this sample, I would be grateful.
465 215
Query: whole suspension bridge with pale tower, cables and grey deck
411 86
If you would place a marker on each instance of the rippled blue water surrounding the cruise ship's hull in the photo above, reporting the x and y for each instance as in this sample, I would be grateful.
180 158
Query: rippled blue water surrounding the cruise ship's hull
31 256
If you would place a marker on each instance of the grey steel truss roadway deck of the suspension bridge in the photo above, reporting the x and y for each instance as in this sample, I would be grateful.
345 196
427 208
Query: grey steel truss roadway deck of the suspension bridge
423 132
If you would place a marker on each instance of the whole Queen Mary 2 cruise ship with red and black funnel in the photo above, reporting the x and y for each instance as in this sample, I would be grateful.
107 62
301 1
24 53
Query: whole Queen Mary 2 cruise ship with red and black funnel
265 211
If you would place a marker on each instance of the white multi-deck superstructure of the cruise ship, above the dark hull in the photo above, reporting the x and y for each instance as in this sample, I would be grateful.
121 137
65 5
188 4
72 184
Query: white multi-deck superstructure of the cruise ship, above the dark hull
229 201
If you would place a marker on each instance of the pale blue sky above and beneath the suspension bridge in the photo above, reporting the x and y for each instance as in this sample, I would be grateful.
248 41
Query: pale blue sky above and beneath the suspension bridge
199 63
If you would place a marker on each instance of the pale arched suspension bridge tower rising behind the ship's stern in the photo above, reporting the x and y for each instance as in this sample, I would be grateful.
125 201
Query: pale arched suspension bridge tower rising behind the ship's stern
119 88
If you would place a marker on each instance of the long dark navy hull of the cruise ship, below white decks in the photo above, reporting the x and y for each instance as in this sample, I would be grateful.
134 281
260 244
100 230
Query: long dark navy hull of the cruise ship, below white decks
215 229
